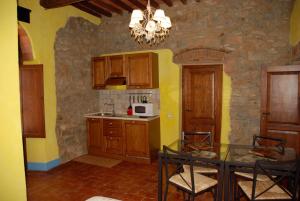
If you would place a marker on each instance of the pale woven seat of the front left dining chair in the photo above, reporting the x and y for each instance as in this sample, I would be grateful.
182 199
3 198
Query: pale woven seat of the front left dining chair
201 182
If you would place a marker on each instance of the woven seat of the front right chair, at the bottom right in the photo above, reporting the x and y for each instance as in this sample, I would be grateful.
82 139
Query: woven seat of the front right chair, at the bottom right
275 193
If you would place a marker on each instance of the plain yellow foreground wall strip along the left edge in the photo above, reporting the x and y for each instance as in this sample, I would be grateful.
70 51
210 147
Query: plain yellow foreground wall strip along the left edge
12 177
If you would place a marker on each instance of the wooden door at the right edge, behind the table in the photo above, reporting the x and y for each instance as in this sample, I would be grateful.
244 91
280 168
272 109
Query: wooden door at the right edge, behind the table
280 109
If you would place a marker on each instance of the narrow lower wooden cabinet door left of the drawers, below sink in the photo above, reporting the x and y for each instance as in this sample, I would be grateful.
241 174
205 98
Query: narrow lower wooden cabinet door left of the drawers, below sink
94 128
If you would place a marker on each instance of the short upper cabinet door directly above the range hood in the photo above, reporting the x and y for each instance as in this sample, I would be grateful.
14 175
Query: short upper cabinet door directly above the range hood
116 67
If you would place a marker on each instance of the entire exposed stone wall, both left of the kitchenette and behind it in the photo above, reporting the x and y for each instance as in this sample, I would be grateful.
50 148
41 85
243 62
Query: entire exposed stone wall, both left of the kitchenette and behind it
255 32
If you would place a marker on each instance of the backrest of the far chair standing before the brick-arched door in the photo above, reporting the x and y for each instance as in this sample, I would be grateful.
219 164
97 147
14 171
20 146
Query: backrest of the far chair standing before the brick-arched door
198 136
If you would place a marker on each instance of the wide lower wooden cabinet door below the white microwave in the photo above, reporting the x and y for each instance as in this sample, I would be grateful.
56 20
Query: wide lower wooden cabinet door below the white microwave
136 138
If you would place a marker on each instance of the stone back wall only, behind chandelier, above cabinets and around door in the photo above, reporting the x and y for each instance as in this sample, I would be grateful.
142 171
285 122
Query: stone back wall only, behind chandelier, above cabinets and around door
256 32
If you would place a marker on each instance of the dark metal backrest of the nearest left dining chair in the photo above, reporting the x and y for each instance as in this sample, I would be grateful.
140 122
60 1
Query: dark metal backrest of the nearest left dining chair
174 162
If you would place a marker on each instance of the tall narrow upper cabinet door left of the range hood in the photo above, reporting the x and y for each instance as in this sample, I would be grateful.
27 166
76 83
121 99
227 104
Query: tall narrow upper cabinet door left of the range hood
99 72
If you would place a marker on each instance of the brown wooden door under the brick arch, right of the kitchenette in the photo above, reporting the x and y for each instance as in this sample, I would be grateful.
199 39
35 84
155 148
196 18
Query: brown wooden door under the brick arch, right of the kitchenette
202 99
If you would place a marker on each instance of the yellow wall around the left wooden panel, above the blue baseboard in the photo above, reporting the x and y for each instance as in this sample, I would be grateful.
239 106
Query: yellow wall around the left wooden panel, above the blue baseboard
42 31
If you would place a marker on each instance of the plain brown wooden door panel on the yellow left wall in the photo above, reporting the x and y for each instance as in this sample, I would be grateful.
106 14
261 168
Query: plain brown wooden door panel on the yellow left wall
32 100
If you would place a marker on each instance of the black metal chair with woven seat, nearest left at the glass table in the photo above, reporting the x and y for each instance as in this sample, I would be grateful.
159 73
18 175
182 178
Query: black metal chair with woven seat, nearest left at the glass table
190 184
